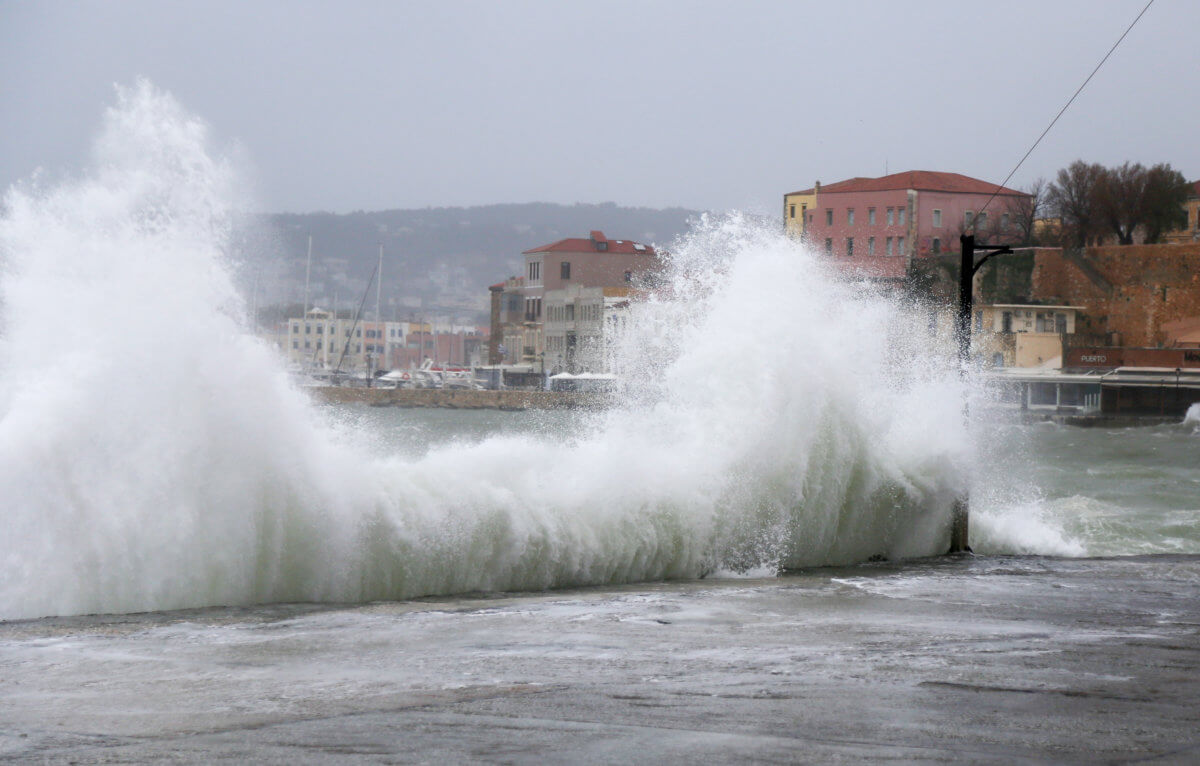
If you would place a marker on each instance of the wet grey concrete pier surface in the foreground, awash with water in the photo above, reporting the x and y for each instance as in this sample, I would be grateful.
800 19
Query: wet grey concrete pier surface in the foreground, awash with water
994 661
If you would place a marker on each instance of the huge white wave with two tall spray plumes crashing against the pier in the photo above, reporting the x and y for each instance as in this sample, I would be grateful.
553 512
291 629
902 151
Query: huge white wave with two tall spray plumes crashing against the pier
154 457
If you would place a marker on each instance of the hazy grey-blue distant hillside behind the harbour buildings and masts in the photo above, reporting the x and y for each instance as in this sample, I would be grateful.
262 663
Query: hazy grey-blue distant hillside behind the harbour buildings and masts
441 260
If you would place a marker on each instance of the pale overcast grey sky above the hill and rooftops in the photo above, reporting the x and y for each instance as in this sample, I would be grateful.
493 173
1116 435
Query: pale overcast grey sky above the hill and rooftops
344 106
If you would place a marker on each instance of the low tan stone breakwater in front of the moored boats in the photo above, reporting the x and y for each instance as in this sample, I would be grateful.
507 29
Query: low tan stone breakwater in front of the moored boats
460 399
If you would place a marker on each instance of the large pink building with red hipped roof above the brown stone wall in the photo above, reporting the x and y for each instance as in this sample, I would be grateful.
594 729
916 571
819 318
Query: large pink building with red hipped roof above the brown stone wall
875 226
